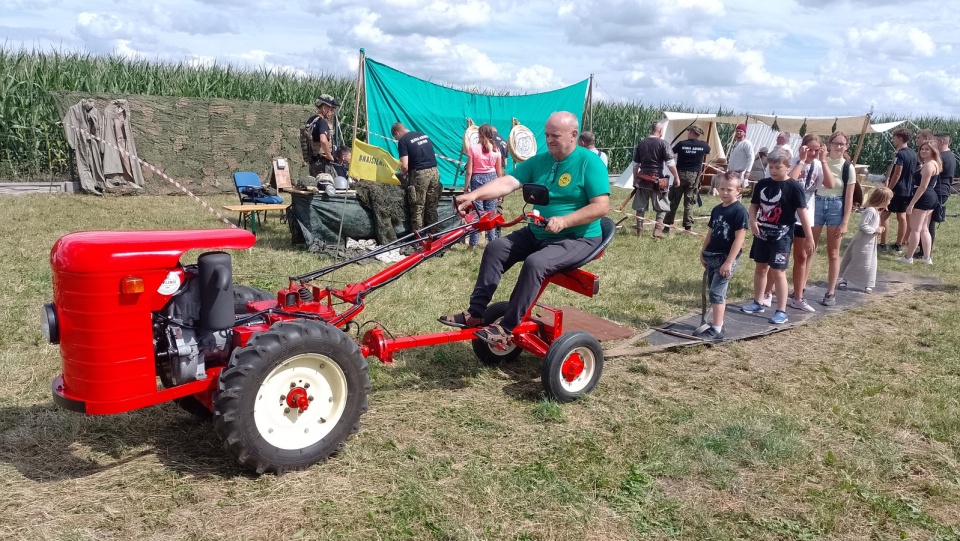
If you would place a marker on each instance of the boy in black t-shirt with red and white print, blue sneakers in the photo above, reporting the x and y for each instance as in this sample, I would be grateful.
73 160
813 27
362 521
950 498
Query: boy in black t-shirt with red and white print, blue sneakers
773 210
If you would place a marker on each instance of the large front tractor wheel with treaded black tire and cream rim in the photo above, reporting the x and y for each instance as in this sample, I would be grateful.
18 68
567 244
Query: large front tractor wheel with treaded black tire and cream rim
243 395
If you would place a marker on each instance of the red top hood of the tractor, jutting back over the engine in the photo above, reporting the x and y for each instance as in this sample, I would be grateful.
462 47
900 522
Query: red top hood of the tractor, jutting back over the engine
119 251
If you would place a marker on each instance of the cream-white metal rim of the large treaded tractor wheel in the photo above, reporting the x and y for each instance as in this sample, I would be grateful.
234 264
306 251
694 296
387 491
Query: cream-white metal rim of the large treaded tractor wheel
286 427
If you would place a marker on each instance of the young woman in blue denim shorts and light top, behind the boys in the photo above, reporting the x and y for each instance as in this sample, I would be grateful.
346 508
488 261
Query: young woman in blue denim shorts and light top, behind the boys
832 208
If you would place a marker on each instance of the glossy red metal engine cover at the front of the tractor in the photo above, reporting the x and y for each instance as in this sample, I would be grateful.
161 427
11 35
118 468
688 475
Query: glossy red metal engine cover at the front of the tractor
106 339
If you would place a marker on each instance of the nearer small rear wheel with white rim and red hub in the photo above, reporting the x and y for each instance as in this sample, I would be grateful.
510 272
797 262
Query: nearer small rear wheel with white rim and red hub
583 343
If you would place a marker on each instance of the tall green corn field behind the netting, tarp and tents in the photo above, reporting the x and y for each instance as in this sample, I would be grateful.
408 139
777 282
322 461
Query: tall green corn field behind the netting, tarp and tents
32 144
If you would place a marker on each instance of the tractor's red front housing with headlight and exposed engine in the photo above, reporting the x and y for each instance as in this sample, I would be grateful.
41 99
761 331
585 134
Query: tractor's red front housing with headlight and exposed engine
126 313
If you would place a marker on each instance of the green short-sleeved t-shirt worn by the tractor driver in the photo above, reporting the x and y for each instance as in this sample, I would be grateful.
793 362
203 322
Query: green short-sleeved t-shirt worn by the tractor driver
572 183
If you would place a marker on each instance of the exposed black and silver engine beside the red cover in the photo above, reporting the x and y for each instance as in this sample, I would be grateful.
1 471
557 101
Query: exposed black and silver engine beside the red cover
193 331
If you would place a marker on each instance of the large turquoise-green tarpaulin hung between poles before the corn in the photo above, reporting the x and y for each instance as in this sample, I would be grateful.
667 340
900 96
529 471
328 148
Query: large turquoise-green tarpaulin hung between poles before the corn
441 113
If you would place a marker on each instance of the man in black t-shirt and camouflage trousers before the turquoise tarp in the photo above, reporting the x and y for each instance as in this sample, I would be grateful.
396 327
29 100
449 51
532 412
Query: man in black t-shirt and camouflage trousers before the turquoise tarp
418 164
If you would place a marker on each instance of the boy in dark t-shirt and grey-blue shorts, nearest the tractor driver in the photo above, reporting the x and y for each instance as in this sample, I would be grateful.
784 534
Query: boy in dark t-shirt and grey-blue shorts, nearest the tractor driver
722 247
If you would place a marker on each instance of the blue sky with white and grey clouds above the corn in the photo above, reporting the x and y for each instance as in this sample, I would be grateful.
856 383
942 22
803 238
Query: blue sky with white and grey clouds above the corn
801 57
